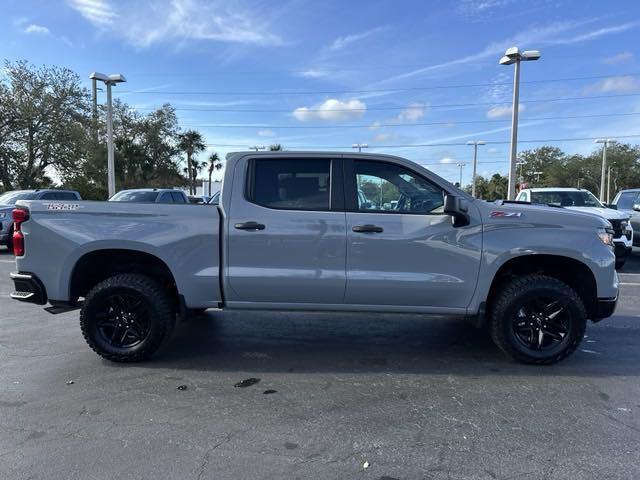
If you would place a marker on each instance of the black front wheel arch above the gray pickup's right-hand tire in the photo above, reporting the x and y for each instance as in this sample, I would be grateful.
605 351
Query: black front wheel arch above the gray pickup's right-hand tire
573 272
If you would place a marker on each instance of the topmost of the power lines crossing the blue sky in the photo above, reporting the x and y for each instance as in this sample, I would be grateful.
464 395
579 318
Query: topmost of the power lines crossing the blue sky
380 90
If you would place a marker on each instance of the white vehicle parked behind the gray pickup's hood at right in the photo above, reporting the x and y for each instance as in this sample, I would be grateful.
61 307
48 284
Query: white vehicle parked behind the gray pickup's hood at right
585 201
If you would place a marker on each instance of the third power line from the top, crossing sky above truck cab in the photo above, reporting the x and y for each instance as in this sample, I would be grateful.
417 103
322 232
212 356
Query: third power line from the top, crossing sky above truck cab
405 125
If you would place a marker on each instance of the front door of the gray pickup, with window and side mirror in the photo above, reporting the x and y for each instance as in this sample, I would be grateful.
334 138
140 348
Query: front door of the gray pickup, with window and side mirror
402 250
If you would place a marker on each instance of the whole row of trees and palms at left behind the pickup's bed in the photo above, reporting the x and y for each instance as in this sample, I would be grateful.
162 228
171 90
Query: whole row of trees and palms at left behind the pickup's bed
49 137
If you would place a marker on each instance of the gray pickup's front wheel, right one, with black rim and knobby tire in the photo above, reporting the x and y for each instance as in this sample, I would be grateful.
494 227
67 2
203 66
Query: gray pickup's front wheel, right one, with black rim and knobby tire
537 319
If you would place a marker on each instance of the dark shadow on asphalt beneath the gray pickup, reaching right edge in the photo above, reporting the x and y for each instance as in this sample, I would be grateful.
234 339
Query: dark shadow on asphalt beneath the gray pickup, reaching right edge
352 343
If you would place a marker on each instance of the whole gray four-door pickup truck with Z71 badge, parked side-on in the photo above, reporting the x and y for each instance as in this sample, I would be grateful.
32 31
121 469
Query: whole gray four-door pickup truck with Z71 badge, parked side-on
291 233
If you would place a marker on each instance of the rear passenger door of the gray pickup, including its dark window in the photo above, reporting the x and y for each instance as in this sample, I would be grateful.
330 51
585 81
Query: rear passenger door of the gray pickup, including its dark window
286 231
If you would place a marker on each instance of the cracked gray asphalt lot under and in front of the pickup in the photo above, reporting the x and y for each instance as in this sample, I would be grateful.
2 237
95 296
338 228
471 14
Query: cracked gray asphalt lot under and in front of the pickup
412 398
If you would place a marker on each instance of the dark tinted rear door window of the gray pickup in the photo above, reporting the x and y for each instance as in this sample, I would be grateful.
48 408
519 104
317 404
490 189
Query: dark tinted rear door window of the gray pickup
291 184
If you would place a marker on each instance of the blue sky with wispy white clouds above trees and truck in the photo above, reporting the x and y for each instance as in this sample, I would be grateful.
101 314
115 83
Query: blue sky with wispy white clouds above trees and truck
324 75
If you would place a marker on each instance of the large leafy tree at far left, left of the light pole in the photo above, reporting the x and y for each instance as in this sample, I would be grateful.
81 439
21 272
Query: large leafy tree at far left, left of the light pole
44 123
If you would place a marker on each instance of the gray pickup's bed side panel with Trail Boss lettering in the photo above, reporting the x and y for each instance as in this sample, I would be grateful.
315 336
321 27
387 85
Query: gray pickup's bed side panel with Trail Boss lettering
185 237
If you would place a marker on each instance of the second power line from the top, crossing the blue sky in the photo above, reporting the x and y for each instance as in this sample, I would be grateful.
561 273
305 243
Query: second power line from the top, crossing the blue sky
471 104
